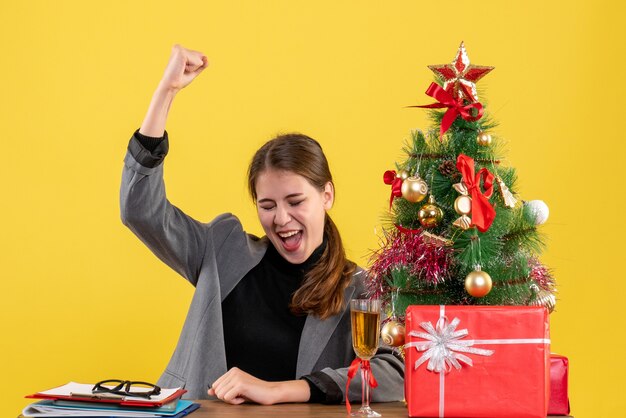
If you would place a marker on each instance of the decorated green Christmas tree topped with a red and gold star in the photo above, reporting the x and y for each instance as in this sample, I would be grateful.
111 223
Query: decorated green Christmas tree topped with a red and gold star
457 233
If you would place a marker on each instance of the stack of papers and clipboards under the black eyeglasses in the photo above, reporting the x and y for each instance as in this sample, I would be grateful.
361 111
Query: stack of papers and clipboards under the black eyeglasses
76 400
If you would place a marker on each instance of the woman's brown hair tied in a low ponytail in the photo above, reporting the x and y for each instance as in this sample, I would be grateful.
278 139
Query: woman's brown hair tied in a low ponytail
321 293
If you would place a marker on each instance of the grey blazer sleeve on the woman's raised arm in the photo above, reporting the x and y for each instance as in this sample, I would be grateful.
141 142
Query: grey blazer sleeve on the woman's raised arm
177 239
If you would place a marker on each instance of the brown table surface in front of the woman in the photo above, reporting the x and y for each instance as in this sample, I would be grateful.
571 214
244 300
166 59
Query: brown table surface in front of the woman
296 410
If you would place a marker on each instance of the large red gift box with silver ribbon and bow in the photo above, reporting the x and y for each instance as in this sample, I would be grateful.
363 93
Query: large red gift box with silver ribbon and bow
477 361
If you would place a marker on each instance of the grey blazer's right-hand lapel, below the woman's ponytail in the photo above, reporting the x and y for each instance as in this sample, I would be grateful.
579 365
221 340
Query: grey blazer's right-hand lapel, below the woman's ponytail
315 336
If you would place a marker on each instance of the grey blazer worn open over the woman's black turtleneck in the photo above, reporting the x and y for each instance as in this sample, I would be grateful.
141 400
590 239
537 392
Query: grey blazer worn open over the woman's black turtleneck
214 257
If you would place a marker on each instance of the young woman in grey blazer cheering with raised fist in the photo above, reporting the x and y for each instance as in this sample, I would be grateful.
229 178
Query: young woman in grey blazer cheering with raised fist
269 321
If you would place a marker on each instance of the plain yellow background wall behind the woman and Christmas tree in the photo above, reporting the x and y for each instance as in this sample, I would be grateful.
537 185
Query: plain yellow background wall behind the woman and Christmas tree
83 299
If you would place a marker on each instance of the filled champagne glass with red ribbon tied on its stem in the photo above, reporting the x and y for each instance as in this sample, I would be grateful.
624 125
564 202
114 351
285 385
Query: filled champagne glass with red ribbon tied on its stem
365 316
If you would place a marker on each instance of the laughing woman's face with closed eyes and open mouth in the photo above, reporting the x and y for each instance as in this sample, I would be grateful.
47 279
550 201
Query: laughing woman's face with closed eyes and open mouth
292 212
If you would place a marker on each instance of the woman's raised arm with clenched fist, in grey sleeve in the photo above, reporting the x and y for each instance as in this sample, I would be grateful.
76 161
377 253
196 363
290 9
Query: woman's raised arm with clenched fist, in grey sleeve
174 237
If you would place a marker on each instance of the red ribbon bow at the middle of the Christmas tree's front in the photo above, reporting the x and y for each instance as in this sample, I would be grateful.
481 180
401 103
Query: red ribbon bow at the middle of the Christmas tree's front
483 213
